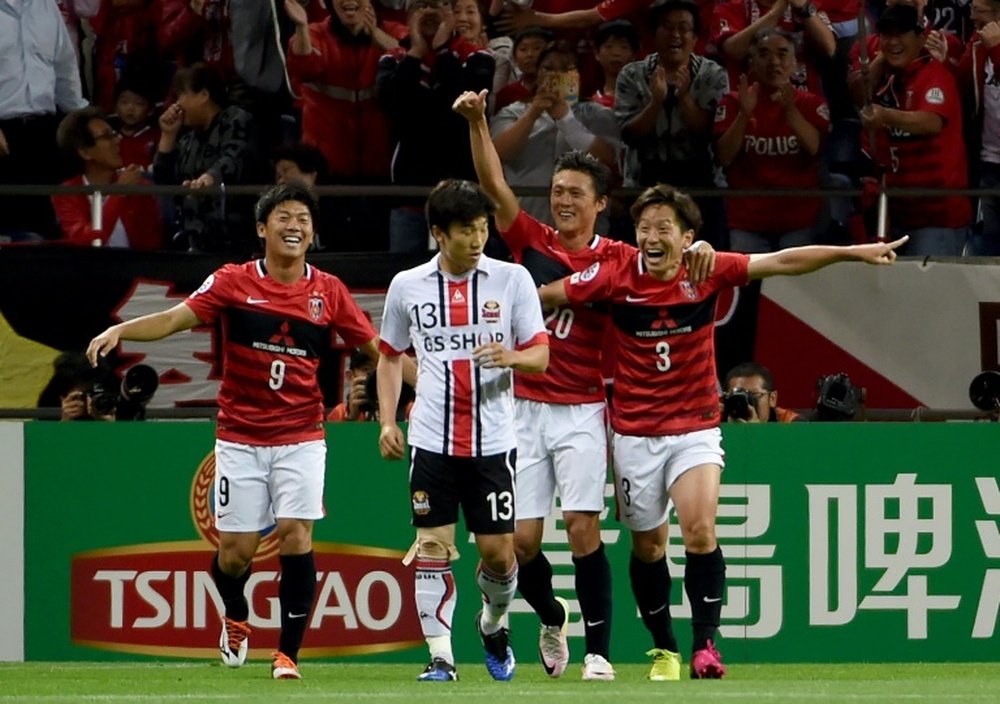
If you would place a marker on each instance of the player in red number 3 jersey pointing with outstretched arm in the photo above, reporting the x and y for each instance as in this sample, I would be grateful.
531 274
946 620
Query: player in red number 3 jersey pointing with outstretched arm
665 408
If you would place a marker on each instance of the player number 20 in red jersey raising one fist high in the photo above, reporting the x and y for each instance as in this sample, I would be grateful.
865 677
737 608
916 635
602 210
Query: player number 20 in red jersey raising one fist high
560 414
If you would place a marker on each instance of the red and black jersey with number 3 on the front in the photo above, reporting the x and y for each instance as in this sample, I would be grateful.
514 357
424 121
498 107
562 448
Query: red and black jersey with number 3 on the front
665 380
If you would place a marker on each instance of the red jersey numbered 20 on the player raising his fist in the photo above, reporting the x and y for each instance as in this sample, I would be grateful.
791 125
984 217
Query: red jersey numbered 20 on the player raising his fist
576 333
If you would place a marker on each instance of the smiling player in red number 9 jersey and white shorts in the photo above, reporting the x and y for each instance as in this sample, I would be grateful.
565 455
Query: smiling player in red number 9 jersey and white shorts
278 314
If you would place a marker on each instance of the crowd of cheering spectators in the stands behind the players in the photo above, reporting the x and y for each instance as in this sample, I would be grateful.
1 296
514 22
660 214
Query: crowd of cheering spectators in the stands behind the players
706 95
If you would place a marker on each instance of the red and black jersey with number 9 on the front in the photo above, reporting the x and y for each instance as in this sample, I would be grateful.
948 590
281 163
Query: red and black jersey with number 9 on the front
272 337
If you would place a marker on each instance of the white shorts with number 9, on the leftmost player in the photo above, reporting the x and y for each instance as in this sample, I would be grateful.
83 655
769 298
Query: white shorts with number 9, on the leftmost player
256 484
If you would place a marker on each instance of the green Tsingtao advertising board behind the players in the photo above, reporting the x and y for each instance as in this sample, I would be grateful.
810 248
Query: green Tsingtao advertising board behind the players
843 542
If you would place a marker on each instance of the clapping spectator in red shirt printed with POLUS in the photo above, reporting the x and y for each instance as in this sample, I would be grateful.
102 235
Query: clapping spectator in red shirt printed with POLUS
770 135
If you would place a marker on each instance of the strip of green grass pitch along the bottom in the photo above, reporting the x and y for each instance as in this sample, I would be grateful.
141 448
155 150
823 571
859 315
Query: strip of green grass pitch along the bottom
194 683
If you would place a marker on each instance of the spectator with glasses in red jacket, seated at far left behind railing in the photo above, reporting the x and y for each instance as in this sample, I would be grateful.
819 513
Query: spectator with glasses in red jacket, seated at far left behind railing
126 221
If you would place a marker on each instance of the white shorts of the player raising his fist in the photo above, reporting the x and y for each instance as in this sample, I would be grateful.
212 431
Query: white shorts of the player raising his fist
564 446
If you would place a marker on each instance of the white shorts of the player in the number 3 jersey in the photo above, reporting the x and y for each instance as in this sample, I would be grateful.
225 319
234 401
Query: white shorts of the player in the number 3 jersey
646 468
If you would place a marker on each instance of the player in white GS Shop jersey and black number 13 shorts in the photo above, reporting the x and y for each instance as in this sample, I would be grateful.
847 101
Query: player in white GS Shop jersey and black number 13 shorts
472 320
